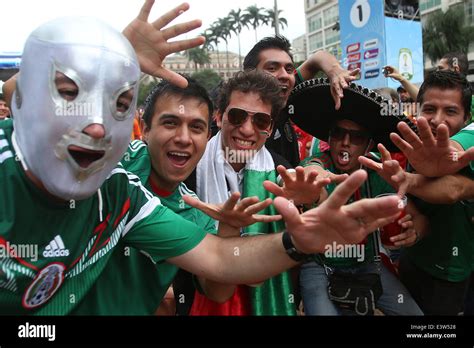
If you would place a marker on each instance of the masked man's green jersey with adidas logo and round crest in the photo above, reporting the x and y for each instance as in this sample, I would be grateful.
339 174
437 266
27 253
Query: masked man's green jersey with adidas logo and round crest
52 253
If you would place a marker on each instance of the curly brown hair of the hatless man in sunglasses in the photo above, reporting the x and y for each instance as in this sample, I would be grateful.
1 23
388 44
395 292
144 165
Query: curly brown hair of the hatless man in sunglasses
265 85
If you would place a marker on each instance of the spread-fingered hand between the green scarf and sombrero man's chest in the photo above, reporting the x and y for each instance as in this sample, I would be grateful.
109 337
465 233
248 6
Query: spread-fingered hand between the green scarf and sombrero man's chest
298 188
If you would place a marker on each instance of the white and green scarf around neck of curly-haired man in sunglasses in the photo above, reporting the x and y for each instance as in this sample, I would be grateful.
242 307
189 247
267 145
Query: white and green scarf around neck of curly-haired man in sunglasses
215 181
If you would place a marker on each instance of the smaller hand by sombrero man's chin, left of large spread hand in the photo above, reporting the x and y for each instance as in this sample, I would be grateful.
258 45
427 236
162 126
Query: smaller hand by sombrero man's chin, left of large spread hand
390 170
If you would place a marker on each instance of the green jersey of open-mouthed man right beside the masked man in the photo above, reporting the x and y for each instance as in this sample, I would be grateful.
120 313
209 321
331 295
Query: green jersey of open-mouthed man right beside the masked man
135 285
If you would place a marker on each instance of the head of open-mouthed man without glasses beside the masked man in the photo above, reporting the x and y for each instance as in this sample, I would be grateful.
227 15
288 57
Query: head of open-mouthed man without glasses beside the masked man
169 109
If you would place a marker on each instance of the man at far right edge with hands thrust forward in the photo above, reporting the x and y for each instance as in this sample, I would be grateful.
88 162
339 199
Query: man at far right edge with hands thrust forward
436 270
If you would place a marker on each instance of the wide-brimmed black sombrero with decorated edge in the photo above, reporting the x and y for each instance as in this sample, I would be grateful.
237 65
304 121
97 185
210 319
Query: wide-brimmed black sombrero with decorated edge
311 108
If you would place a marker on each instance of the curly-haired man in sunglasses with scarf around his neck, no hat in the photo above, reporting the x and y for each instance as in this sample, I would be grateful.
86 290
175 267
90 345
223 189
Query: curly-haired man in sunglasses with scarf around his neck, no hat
236 160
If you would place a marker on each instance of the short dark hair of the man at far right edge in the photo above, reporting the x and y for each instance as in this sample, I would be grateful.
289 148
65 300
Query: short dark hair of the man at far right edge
448 80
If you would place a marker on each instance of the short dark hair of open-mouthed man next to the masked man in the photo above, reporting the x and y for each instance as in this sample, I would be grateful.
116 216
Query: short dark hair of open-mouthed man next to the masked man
165 88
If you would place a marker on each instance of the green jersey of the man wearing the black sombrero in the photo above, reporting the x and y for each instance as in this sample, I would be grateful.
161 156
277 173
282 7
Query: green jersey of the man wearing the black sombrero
377 186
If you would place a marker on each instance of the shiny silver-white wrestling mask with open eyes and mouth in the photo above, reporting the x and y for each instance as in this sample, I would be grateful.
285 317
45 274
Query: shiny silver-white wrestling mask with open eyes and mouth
50 116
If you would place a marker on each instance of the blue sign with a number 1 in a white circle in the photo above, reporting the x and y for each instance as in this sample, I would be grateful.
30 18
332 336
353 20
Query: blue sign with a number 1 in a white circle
370 40
